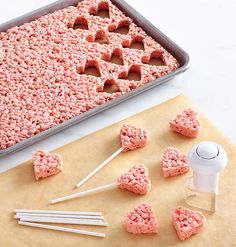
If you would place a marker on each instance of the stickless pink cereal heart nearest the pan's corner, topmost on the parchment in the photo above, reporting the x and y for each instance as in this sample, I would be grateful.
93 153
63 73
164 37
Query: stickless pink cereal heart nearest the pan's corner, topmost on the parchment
187 123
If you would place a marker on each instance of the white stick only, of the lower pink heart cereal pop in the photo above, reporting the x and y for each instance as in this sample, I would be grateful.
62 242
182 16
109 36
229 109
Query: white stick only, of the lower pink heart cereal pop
84 193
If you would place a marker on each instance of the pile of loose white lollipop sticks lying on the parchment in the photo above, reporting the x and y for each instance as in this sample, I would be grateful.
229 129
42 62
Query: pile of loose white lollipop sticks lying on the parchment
35 218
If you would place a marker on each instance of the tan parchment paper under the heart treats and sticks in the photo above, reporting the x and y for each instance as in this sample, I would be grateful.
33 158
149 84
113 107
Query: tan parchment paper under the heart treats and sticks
19 189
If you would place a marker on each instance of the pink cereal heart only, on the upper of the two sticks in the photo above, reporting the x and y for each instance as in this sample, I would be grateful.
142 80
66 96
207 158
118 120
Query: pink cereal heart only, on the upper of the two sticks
132 138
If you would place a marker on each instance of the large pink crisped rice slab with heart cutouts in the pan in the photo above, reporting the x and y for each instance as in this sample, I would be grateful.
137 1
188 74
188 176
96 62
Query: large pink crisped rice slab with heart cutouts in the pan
42 65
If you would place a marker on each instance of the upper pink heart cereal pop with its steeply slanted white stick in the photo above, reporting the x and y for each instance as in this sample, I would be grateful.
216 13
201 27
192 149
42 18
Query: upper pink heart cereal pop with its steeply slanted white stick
131 138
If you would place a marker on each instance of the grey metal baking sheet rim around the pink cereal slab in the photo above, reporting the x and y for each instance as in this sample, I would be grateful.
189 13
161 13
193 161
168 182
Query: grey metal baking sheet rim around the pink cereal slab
150 29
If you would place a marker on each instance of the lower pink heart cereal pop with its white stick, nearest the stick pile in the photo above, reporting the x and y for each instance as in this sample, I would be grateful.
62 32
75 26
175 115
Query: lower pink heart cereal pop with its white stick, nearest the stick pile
135 180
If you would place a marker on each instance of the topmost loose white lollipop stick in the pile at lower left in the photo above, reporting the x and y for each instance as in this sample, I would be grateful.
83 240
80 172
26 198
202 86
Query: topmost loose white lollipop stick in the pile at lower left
56 212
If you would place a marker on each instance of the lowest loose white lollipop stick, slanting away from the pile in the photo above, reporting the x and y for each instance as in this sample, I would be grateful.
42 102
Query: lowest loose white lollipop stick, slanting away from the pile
63 229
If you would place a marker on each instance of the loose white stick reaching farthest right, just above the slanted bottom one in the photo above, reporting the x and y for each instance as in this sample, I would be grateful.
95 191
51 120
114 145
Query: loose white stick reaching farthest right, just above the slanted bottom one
64 221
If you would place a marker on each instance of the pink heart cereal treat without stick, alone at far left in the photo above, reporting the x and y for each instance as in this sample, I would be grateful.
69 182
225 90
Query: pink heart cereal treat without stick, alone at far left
46 164
